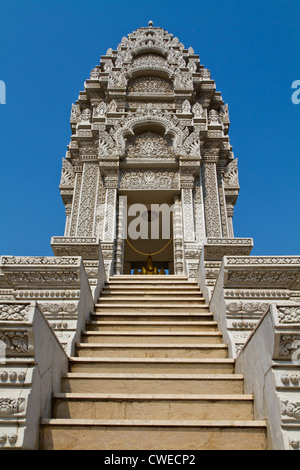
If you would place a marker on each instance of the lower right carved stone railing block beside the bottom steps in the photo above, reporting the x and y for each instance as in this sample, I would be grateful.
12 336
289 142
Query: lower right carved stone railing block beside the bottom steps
270 361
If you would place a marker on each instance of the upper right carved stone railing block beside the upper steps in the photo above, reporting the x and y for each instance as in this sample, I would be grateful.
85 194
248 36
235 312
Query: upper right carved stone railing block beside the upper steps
245 288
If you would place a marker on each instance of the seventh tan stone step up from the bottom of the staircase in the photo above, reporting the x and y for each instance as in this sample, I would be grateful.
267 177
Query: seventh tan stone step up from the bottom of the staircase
162 326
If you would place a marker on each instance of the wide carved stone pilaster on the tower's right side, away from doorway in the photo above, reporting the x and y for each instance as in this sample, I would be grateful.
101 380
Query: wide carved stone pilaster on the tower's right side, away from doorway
211 196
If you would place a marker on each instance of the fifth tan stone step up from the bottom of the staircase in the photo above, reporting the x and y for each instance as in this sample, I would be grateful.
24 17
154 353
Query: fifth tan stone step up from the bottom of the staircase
151 350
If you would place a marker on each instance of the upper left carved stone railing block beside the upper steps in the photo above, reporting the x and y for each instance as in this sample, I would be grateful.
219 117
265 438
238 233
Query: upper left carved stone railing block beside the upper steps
60 286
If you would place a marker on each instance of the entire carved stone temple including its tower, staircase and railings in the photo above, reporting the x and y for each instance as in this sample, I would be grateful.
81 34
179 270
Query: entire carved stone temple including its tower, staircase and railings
151 130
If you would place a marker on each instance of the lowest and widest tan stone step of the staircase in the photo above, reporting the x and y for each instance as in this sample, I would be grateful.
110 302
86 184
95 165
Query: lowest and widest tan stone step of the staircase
82 434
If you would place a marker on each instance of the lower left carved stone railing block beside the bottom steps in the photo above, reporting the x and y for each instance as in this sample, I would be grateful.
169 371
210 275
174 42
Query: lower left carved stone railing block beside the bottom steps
32 362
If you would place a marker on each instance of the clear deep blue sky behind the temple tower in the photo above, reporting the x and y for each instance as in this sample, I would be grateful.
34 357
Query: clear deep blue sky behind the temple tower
48 49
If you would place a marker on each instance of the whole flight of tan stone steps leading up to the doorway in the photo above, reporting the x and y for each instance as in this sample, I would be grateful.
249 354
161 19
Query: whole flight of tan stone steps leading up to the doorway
150 373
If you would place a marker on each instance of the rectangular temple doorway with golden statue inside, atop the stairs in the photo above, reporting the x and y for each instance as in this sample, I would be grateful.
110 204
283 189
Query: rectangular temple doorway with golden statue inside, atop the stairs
148 224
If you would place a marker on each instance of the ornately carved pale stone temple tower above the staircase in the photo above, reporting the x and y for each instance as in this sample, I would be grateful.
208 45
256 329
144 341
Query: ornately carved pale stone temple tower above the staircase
150 126
